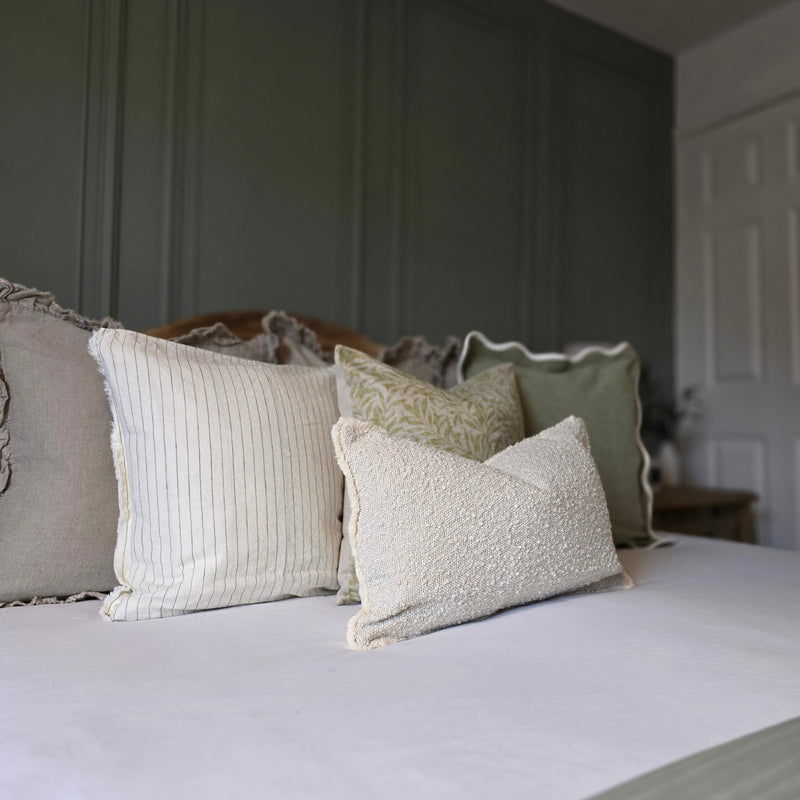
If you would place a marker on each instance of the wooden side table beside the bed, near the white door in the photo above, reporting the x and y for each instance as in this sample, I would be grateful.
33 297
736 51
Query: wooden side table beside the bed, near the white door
716 513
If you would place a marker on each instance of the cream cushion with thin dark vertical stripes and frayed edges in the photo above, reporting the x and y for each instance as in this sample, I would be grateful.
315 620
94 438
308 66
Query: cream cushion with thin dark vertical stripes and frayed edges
228 487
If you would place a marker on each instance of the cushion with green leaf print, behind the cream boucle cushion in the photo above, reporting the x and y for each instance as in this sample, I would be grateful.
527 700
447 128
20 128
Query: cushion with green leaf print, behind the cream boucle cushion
475 420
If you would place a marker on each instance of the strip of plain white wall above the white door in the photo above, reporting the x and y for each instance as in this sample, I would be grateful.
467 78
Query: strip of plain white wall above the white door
740 70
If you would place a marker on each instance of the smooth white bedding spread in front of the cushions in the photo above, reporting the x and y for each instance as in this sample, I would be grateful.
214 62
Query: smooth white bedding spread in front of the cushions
560 699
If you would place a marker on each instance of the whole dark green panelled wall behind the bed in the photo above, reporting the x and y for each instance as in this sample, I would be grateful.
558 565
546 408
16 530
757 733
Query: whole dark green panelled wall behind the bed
399 166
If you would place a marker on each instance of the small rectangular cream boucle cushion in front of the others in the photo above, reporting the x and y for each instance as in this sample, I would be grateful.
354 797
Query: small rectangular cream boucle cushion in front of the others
439 539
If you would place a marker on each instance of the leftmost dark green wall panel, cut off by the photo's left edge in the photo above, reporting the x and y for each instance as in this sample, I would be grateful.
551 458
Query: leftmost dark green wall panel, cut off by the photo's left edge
44 52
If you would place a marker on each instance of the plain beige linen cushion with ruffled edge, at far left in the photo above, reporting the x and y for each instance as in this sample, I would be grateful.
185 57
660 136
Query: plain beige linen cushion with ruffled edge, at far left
58 509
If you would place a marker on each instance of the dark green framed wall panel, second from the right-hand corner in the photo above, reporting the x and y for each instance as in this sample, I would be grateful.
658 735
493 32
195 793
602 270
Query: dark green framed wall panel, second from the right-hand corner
446 109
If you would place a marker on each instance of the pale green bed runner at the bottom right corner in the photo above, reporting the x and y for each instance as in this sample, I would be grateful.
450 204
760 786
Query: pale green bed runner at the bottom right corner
761 766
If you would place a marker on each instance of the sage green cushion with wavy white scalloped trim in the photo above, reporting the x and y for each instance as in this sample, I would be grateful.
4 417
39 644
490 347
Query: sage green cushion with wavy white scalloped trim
598 385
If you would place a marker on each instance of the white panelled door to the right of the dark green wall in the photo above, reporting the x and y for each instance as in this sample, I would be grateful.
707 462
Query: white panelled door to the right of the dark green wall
738 311
